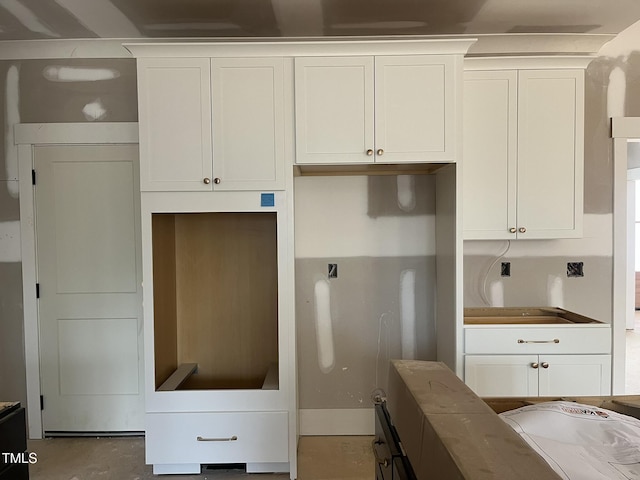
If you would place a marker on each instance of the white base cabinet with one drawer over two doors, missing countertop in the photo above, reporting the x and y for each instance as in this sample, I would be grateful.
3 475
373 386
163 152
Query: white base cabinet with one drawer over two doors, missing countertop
538 360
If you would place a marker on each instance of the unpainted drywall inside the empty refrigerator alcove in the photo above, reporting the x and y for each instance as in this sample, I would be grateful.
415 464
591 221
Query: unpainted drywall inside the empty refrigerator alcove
380 232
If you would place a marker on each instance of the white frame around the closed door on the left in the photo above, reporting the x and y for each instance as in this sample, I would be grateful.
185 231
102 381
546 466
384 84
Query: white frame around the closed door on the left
26 137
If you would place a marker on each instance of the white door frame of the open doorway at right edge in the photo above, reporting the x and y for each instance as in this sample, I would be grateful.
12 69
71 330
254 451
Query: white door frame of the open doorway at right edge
623 129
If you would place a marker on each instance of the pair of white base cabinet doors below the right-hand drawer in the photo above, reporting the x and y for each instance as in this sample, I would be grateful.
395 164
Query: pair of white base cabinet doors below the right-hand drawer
538 375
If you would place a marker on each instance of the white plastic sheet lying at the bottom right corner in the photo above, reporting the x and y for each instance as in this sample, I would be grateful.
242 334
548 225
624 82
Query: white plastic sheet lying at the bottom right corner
580 442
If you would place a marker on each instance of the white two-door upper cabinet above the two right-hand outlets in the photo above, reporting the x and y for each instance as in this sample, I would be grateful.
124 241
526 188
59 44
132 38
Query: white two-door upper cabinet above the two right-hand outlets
523 154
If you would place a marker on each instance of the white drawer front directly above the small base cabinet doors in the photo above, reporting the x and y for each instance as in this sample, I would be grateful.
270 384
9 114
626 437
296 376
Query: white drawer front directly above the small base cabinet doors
551 340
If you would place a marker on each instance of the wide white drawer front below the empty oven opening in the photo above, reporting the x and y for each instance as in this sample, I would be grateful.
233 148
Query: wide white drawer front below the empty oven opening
237 437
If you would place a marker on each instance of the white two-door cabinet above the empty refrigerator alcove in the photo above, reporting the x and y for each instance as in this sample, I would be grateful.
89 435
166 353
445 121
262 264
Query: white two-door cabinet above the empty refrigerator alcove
384 109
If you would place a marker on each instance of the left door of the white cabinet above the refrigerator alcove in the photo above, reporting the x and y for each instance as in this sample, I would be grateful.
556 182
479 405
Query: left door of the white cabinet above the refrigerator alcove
334 109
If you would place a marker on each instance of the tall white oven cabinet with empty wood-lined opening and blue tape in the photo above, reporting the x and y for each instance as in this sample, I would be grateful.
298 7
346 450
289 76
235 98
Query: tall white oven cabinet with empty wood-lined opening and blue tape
215 139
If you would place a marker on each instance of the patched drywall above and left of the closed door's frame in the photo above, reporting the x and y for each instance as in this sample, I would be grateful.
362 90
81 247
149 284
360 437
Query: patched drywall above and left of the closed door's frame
35 91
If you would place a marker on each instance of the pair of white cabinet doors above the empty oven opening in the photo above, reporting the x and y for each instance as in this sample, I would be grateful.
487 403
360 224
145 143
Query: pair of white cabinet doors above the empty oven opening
211 124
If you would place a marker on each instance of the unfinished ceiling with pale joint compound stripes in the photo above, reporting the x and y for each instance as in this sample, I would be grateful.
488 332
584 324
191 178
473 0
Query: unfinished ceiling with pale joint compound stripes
131 19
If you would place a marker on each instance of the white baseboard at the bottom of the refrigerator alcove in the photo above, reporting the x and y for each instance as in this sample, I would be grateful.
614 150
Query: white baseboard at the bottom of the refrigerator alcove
338 421
